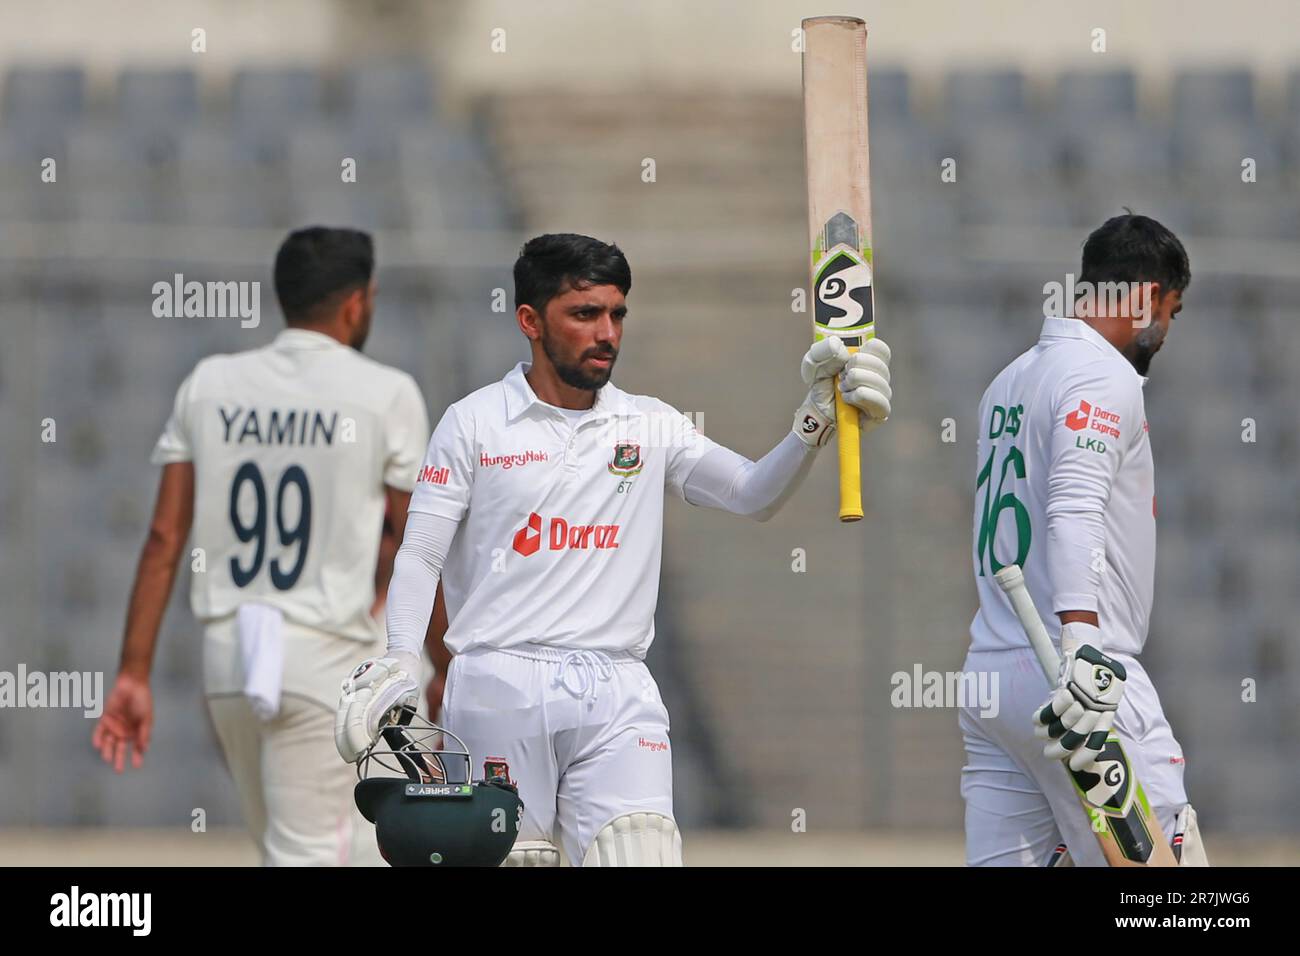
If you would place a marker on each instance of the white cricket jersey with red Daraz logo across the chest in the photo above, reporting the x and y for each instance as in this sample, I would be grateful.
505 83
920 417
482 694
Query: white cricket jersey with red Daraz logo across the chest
561 516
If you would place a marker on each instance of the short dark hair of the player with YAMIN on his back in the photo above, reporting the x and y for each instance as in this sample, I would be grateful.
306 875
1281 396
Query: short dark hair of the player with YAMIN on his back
317 263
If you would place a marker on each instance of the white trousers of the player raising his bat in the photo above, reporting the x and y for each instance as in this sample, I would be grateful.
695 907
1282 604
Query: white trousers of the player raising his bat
584 734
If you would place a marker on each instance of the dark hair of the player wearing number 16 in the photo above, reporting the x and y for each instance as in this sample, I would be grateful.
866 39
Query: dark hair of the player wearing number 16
1136 249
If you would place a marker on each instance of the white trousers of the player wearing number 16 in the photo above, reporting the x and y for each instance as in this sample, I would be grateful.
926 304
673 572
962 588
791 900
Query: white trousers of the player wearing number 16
1020 804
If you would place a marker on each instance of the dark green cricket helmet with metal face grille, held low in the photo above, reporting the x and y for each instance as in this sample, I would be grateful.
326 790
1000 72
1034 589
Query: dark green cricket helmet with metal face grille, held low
427 811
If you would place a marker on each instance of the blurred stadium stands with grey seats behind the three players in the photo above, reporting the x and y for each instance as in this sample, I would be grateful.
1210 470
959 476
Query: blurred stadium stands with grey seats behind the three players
478 126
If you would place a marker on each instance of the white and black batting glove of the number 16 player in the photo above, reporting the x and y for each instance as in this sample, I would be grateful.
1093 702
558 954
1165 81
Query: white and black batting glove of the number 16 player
1077 719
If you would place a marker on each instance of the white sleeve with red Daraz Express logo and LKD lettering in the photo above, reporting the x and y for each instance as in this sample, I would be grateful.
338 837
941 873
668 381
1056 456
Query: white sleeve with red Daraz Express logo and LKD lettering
1082 468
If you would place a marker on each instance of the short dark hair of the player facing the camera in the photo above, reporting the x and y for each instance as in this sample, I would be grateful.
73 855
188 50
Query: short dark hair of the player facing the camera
549 263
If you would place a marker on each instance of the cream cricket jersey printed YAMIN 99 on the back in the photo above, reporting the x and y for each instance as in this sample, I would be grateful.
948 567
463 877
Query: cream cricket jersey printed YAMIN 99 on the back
293 445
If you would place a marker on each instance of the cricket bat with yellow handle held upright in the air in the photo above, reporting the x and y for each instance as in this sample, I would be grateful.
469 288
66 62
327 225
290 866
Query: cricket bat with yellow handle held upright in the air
839 178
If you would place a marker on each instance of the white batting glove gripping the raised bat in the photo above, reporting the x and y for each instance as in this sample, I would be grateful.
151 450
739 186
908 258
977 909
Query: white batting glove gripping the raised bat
864 383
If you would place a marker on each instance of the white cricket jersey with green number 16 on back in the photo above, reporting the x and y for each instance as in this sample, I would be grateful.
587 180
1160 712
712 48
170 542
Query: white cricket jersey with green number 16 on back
1065 487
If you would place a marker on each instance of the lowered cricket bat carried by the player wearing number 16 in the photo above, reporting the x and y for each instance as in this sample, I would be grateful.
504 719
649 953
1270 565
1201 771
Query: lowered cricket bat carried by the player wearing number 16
1125 827
